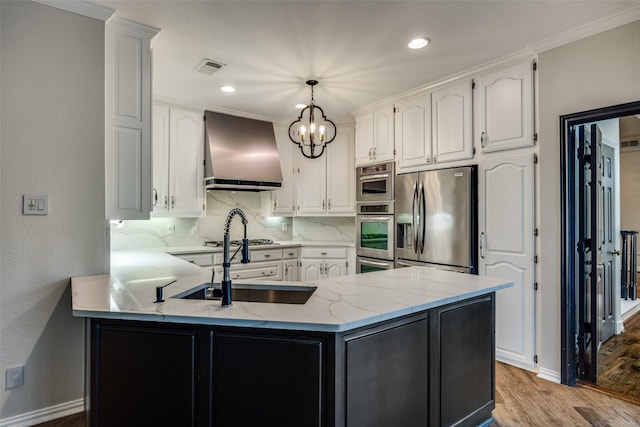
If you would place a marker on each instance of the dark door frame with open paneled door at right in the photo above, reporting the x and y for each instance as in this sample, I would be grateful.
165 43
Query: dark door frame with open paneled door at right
590 241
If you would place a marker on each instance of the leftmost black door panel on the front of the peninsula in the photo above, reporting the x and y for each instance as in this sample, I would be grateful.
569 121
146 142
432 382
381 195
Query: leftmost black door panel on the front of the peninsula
129 376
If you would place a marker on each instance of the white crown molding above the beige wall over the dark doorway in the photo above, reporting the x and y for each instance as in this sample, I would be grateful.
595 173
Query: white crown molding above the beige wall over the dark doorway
586 30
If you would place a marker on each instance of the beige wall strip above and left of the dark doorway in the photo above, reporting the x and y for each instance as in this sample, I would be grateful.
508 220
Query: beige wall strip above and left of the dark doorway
595 72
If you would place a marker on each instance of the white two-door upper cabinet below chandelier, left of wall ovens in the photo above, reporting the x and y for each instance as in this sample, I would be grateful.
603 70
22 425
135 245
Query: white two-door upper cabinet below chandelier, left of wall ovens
326 185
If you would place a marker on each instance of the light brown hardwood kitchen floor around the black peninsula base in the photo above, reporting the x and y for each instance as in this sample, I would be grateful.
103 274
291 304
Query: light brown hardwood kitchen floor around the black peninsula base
523 399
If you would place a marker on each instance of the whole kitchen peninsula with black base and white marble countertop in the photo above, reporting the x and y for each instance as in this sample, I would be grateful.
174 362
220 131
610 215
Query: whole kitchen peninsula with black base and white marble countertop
405 347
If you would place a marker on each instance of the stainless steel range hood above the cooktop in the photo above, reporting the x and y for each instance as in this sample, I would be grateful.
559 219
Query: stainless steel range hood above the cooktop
241 154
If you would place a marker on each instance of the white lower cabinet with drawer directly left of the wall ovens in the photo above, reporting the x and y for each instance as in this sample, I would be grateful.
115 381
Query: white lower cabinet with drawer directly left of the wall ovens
323 262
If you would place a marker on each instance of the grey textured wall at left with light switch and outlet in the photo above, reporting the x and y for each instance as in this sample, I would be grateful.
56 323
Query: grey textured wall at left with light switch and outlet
52 142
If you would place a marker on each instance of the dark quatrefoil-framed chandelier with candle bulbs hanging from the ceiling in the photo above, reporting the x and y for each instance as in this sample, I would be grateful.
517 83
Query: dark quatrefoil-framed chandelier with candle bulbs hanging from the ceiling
312 131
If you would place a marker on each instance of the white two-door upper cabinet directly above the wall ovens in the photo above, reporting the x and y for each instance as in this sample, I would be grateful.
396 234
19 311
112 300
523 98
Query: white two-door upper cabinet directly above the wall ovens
375 137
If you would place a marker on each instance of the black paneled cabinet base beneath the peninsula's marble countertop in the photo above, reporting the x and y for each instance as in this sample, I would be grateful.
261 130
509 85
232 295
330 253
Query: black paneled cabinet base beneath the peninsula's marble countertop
434 368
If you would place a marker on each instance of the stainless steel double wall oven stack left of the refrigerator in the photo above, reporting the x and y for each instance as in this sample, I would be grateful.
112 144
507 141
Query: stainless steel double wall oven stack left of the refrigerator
375 222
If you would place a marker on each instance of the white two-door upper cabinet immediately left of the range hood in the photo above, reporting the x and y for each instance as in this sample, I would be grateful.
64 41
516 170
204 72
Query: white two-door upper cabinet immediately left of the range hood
178 162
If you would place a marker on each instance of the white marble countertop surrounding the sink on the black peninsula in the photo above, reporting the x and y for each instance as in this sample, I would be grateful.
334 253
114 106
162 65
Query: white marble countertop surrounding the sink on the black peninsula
338 304
